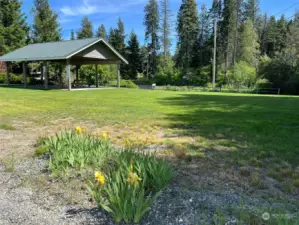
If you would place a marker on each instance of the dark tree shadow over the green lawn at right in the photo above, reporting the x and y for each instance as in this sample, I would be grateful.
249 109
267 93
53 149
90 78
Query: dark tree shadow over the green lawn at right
262 122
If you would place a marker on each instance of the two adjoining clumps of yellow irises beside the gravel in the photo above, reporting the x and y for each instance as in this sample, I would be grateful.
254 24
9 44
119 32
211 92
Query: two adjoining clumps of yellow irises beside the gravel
123 182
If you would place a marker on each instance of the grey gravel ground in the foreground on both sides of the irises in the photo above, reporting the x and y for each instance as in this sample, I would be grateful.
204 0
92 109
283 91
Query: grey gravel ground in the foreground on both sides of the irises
23 205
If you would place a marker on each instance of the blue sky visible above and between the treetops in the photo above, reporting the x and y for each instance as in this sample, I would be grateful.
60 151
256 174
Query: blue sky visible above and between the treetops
131 11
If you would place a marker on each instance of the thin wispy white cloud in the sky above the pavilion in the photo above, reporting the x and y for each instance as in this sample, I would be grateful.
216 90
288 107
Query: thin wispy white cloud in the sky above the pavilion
87 7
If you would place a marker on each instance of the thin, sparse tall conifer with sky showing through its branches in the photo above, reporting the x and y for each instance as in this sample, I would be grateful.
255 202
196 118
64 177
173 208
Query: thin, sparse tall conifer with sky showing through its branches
166 16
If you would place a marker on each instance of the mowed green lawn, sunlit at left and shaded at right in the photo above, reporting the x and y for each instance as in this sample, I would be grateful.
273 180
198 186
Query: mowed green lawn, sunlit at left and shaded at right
263 123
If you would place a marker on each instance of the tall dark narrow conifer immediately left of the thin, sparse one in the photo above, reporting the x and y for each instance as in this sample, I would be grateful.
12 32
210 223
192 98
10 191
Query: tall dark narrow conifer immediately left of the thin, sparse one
151 22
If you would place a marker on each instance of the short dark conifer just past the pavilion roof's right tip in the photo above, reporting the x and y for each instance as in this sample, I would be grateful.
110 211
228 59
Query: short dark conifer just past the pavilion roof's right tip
133 56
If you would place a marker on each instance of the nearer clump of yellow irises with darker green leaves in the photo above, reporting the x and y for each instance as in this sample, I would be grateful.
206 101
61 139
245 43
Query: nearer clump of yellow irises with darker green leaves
133 183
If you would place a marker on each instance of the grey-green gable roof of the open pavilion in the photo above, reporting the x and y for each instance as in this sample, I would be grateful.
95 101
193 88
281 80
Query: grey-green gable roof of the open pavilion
55 50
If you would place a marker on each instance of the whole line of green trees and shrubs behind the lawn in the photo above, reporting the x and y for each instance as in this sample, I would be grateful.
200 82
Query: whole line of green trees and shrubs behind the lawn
254 50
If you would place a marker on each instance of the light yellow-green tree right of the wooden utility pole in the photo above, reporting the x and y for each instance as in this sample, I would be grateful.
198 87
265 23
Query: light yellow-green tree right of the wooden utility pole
249 47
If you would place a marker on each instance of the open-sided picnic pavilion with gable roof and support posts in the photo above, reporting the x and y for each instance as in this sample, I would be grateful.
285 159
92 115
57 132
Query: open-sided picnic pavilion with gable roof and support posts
75 52
